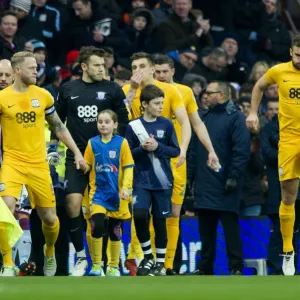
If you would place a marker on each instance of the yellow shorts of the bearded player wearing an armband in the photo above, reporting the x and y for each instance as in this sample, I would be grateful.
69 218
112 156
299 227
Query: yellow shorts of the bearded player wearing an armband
36 179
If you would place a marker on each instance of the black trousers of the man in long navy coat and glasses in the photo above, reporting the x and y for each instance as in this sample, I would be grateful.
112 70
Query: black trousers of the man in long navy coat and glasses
208 222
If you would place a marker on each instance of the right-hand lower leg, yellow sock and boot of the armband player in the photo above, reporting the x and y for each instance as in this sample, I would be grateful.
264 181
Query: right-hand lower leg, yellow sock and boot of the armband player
50 226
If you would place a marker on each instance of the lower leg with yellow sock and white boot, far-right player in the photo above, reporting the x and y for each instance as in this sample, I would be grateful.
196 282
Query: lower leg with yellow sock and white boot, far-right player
289 189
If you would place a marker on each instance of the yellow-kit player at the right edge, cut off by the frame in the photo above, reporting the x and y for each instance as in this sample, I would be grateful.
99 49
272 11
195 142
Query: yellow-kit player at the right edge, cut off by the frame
287 77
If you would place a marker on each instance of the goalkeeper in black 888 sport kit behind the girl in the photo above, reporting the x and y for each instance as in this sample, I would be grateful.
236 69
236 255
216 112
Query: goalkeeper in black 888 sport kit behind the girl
79 103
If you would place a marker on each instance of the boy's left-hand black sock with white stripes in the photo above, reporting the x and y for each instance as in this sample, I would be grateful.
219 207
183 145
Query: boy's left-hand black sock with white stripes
143 234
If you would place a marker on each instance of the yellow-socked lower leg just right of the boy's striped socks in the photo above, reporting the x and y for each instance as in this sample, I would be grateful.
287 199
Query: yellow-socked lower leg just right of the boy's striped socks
173 234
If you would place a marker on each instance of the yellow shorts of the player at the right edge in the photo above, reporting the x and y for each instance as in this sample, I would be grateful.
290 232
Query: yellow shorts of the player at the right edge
289 159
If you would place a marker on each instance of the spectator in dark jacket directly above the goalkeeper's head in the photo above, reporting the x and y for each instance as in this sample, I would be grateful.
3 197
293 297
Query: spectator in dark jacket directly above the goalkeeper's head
92 26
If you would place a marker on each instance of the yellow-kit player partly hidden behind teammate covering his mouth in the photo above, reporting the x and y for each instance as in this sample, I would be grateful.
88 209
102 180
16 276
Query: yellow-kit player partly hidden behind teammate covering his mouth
164 72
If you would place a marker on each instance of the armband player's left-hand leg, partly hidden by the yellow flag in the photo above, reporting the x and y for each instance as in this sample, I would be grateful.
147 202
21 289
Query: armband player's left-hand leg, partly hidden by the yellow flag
9 268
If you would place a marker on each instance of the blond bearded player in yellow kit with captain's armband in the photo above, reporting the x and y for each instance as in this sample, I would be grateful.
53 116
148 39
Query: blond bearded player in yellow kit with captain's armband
23 109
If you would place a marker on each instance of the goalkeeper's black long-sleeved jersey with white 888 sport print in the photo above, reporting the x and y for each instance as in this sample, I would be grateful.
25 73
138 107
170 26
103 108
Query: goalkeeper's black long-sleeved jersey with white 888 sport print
79 103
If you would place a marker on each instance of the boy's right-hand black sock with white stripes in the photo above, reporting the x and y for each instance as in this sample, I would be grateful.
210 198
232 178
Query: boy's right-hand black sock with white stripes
161 240
